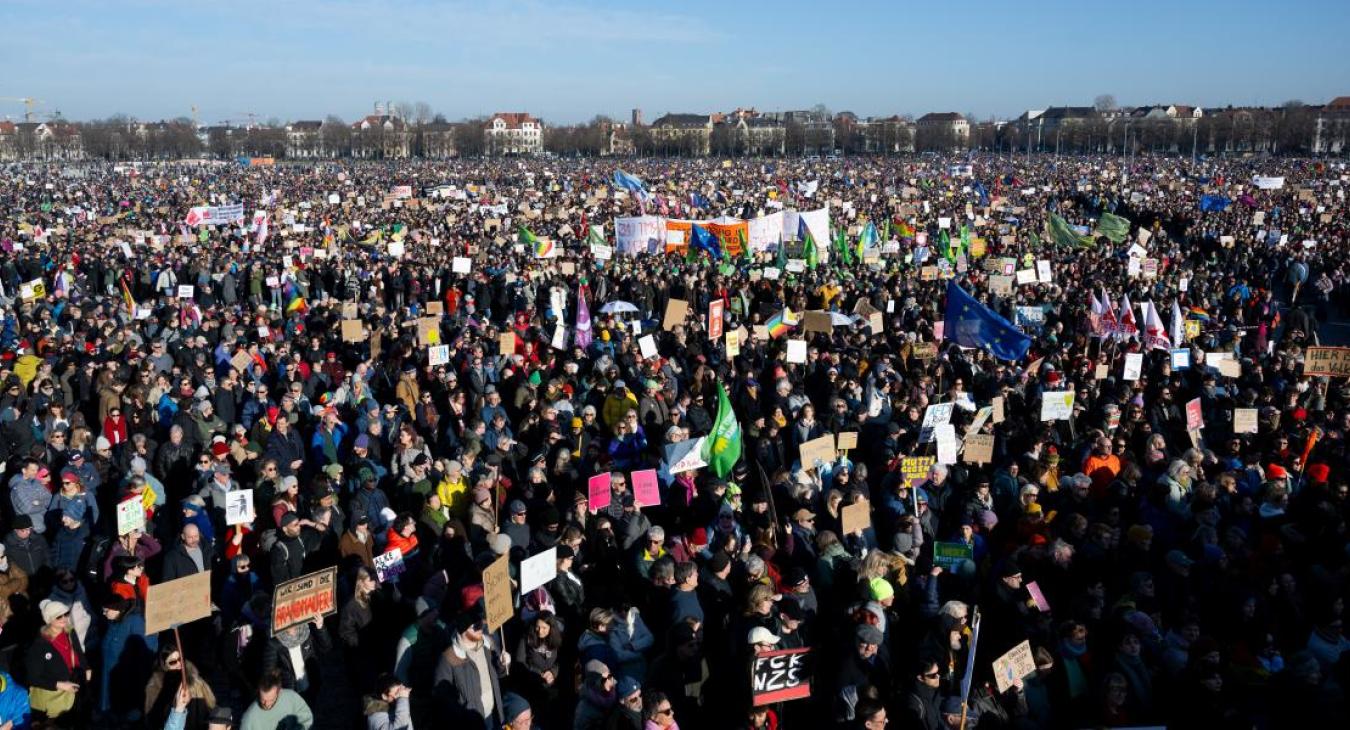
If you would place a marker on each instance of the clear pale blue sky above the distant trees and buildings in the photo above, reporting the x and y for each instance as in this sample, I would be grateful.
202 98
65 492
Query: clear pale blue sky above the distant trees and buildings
570 60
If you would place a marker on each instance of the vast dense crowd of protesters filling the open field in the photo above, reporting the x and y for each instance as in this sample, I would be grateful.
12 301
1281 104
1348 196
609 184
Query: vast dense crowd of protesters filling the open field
411 422
